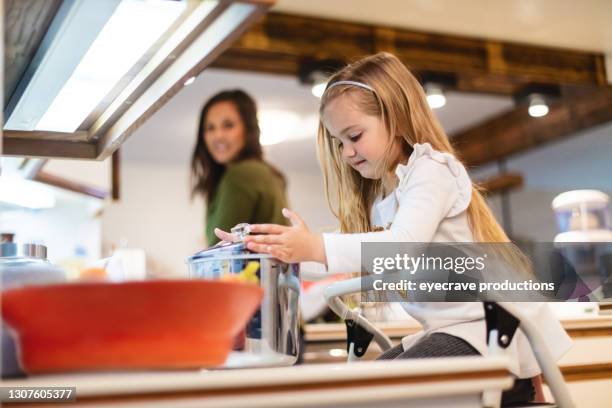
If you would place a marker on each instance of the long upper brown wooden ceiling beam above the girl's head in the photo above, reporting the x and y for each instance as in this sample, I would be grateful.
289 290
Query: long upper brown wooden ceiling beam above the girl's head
279 42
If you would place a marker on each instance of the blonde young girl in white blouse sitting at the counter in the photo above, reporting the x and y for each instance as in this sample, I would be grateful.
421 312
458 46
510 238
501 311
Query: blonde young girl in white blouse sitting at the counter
393 176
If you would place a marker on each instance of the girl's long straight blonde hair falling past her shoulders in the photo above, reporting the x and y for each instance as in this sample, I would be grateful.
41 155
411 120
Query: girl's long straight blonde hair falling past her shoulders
398 99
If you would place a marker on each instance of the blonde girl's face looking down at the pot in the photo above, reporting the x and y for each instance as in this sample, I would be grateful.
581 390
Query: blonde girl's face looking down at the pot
362 138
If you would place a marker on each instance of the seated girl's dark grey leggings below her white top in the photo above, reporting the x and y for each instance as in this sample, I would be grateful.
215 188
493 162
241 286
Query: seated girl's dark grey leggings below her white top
445 345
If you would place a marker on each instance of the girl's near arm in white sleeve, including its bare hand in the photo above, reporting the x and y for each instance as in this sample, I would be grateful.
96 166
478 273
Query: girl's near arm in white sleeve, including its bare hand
425 199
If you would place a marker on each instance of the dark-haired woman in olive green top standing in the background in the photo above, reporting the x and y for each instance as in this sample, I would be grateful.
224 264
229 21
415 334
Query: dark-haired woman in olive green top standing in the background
228 169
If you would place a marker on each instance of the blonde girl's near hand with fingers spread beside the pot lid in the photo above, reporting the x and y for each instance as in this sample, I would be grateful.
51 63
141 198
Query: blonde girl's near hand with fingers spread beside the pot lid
289 244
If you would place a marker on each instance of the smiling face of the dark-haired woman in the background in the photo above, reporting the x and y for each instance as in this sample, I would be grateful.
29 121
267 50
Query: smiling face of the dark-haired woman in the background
224 132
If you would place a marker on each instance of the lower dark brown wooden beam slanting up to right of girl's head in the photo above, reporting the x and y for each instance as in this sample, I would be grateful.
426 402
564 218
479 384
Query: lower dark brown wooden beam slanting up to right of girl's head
515 131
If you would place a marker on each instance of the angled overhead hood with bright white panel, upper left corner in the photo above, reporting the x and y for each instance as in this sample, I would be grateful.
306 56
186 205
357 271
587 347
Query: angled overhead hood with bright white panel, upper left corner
82 75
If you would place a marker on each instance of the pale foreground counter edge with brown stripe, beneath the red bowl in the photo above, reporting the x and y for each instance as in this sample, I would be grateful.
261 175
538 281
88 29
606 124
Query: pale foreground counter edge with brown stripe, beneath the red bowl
456 382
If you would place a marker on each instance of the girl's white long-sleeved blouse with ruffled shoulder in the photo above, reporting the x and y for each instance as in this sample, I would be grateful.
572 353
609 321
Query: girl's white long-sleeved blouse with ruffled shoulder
429 205
